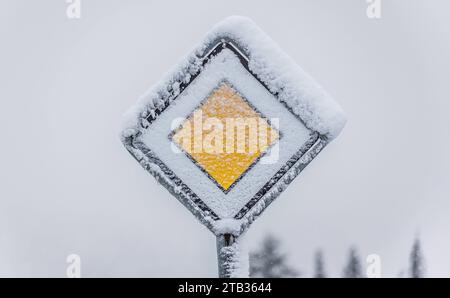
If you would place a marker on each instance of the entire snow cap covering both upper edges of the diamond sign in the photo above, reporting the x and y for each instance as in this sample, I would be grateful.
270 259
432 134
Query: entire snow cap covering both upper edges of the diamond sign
278 71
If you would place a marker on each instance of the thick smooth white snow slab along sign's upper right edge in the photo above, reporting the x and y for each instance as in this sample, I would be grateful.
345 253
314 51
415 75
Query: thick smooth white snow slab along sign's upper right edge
283 76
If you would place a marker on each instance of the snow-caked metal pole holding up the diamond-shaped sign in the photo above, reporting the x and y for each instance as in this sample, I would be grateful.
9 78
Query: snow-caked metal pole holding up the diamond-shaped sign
232 257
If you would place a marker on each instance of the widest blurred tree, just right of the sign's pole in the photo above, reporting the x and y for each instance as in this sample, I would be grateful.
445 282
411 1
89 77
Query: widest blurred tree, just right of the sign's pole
268 262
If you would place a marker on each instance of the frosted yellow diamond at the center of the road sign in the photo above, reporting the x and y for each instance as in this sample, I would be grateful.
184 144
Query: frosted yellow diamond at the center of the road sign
225 136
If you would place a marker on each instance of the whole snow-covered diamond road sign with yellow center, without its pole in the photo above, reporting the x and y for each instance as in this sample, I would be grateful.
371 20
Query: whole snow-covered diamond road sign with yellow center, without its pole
231 126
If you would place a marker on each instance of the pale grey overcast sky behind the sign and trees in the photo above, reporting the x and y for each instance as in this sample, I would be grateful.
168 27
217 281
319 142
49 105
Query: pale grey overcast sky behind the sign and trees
69 186
